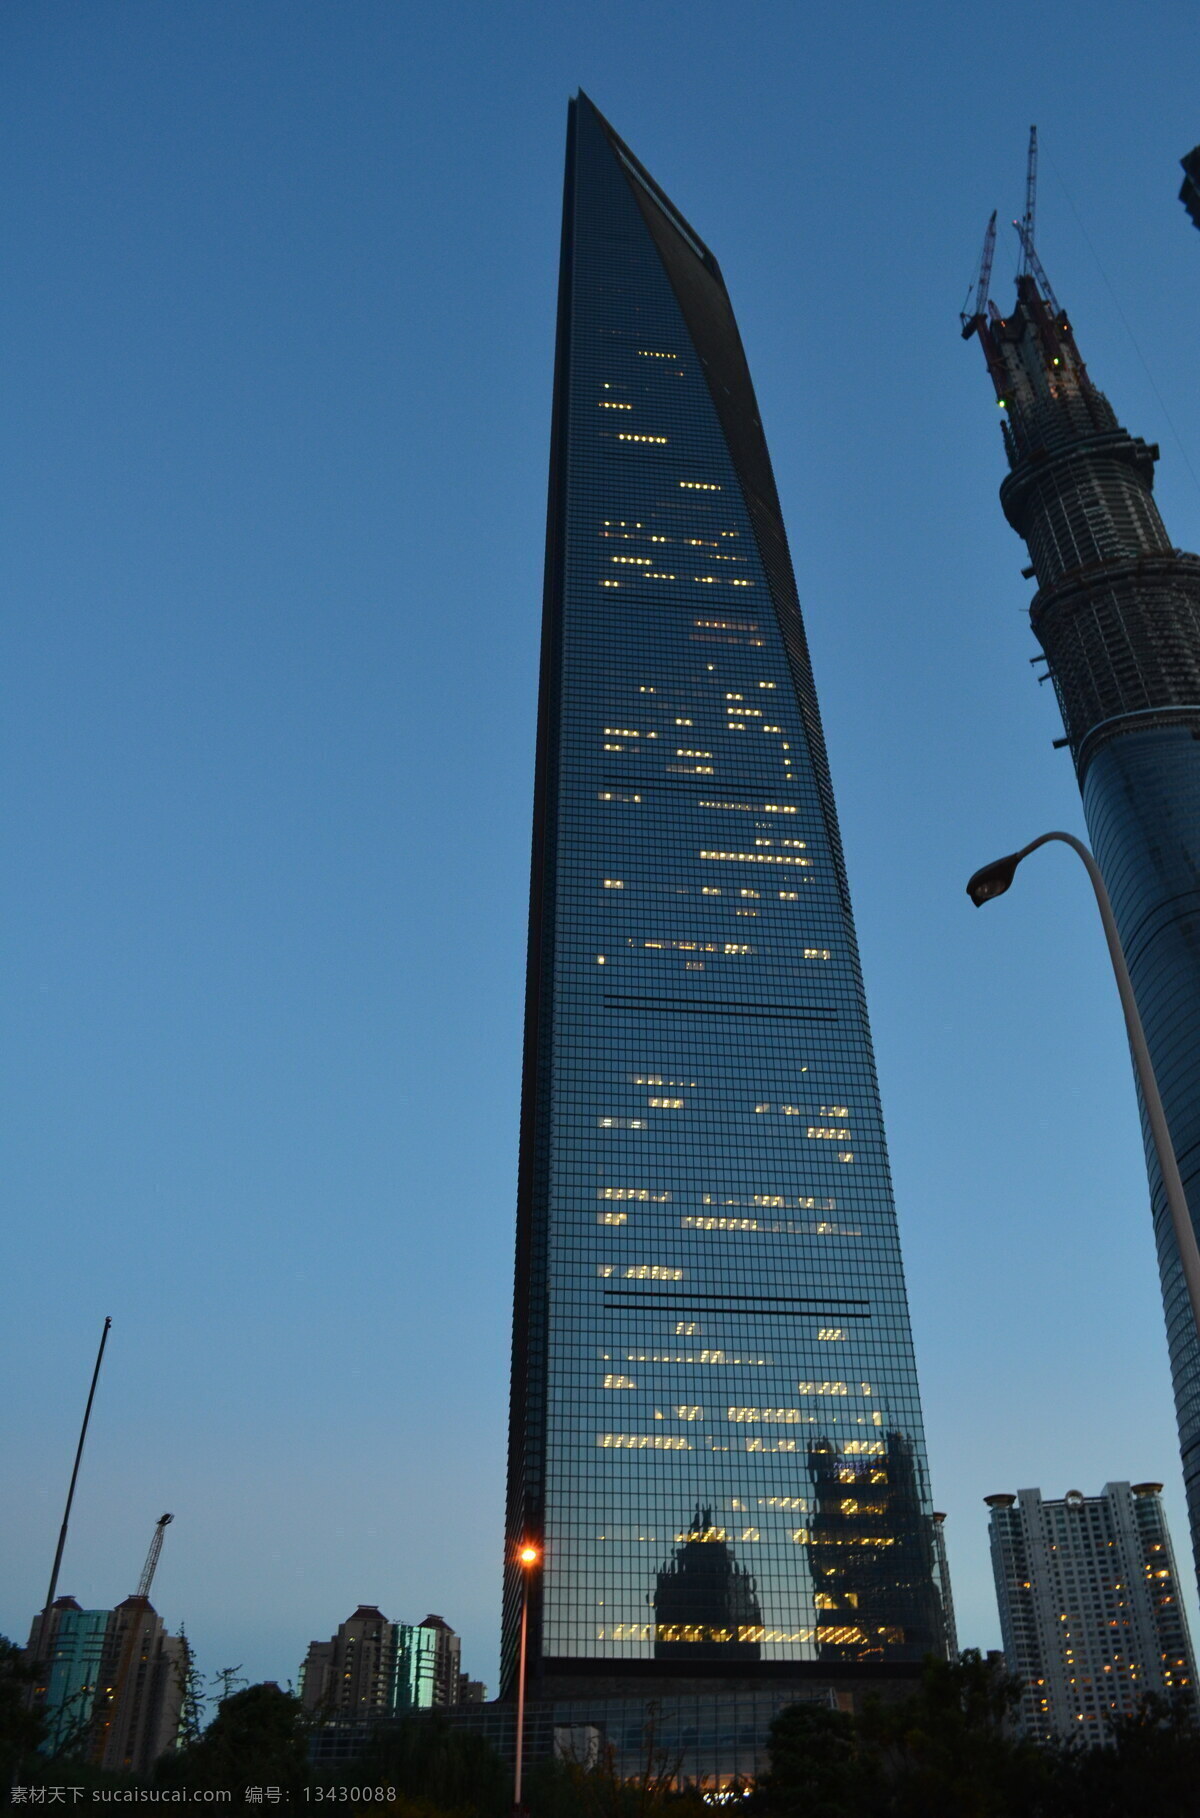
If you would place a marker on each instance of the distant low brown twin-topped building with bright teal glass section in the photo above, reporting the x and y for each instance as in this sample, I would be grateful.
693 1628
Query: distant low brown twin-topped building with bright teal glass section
377 1668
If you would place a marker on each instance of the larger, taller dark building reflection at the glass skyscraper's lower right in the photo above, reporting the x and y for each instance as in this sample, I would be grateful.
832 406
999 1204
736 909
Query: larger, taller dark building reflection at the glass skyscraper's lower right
872 1555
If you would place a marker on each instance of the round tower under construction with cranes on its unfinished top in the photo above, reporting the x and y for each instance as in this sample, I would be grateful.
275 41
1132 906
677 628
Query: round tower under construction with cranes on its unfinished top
1117 615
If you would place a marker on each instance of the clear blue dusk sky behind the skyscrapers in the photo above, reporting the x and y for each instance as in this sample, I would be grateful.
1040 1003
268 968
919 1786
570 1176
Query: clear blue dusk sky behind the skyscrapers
279 335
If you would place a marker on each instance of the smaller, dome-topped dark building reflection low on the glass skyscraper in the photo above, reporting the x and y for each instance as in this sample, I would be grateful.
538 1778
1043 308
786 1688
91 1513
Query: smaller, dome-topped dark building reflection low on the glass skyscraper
705 1601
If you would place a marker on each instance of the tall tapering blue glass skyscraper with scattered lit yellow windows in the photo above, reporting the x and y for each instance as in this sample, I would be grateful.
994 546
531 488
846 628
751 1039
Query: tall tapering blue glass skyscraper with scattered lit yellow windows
715 1426
